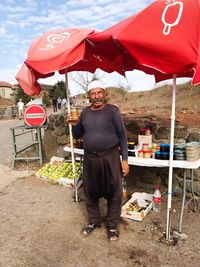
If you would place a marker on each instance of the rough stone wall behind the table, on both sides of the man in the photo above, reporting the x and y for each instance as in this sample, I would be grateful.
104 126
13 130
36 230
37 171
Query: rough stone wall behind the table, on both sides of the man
57 136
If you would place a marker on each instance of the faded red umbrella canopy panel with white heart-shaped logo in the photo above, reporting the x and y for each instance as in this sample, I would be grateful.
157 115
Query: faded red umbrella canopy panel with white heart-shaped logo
57 49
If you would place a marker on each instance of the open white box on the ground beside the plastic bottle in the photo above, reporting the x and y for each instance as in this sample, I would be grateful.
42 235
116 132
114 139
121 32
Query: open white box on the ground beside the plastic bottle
141 198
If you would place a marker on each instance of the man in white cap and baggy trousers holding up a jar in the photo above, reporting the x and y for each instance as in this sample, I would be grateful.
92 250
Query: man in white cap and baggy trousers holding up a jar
104 136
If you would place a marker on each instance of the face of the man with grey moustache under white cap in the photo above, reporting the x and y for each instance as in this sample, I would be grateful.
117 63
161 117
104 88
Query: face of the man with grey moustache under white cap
97 97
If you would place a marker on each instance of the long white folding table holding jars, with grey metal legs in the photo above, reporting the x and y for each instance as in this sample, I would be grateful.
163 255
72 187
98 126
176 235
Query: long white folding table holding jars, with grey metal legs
162 163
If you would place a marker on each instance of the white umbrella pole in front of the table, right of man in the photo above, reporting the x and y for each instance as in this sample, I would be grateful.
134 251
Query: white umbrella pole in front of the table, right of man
169 202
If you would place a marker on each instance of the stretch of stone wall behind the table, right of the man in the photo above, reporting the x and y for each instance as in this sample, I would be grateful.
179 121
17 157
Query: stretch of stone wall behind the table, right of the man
160 130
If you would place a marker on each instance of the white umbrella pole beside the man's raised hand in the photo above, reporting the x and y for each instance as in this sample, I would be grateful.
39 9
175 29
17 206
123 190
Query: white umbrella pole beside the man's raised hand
71 139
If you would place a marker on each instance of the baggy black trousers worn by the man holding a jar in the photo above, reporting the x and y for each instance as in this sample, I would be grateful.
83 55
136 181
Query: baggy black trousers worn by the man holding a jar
102 177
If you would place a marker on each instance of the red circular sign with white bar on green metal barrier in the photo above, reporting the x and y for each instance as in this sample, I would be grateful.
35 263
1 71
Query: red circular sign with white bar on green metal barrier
35 115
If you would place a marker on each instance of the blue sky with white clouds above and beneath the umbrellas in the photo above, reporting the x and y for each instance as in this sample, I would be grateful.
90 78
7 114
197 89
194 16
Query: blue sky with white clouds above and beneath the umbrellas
23 21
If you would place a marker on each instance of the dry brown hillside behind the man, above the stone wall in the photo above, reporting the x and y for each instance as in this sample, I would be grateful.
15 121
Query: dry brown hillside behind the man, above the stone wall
157 102
